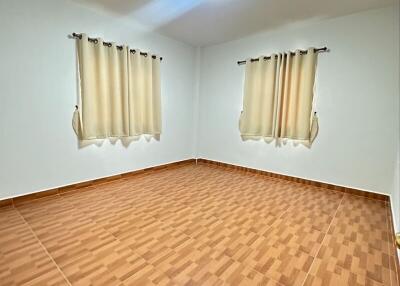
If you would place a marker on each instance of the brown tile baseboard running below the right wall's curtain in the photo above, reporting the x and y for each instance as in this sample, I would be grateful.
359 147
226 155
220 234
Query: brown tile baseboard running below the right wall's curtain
352 191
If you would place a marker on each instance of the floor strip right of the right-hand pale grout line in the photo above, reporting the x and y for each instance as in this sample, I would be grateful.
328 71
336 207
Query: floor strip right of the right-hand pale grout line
356 249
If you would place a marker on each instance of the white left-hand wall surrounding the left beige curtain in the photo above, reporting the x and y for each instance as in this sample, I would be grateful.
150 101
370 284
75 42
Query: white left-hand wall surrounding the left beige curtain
38 92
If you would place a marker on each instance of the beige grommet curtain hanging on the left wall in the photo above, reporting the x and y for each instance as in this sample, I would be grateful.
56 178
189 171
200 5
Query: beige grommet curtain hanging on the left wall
119 92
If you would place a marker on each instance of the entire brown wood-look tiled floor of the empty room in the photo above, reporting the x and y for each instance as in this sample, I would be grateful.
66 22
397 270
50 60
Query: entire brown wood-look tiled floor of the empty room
198 225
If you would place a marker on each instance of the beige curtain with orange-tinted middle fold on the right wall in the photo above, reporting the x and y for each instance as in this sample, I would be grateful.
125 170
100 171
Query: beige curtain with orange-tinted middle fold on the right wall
278 98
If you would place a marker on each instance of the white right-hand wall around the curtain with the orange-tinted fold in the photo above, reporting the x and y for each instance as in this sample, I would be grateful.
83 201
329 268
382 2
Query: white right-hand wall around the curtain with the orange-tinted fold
356 145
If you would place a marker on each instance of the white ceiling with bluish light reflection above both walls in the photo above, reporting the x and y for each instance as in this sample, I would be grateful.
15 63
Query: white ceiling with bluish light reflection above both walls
206 22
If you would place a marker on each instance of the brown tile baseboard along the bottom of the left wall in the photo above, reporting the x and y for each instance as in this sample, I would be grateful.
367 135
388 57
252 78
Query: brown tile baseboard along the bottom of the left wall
91 183
